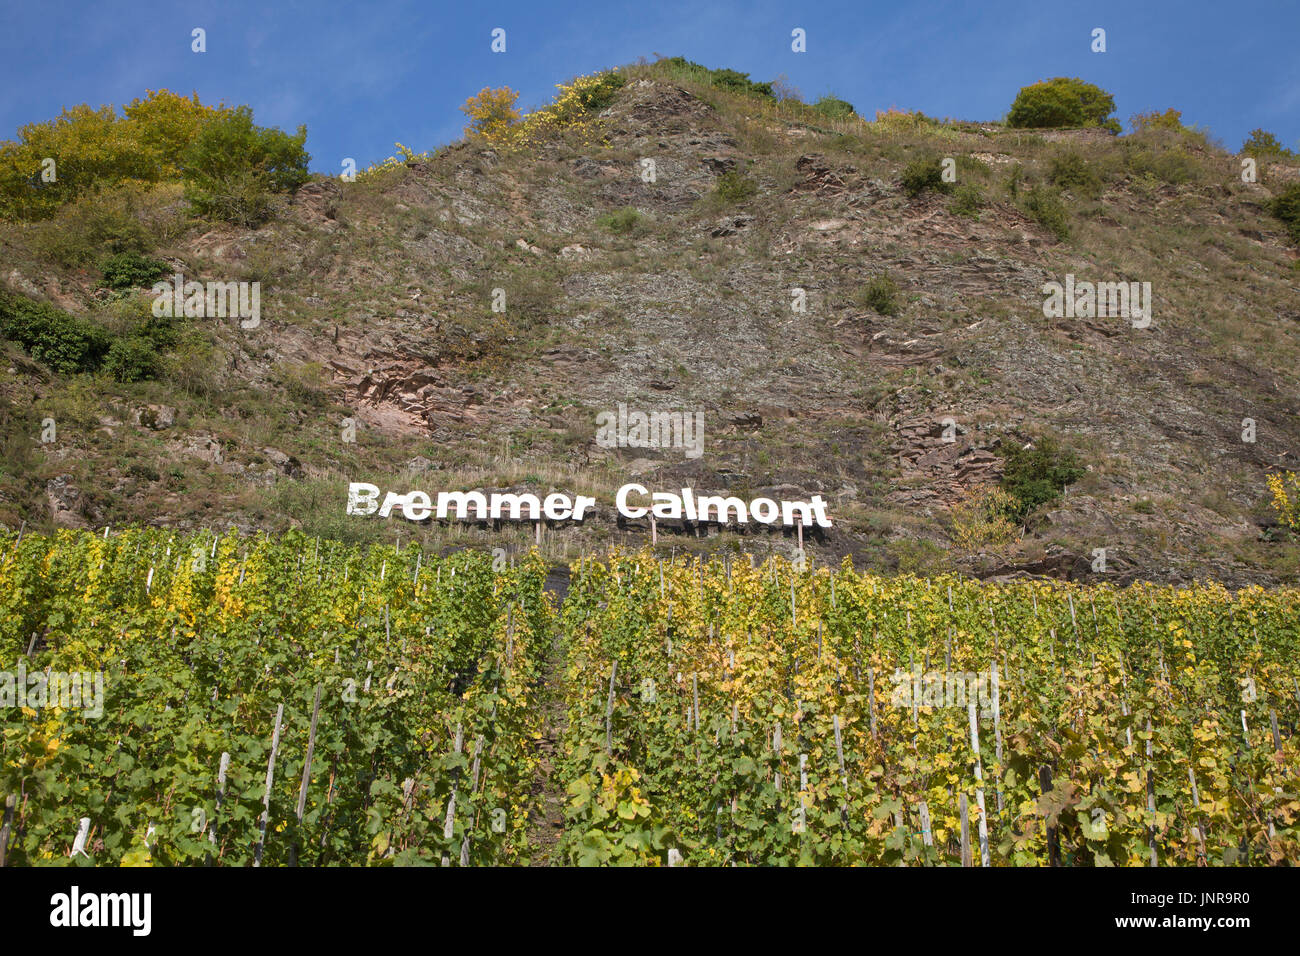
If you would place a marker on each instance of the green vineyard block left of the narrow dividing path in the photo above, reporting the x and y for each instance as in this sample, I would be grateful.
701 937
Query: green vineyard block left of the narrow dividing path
270 702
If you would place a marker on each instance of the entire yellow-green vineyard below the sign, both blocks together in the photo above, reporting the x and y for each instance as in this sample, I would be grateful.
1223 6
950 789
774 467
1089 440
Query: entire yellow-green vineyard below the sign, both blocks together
294 702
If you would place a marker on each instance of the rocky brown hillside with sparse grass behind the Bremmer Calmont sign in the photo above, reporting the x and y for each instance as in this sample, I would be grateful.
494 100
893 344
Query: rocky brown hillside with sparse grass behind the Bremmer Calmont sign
921 357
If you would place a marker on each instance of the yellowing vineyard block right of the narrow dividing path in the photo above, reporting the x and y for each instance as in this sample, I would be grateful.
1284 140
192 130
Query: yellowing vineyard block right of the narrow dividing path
744 715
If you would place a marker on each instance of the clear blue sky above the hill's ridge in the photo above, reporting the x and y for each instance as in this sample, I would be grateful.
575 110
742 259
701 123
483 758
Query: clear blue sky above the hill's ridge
363 76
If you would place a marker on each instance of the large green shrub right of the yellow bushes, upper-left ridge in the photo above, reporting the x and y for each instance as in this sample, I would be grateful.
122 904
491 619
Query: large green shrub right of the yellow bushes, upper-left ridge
233 168
